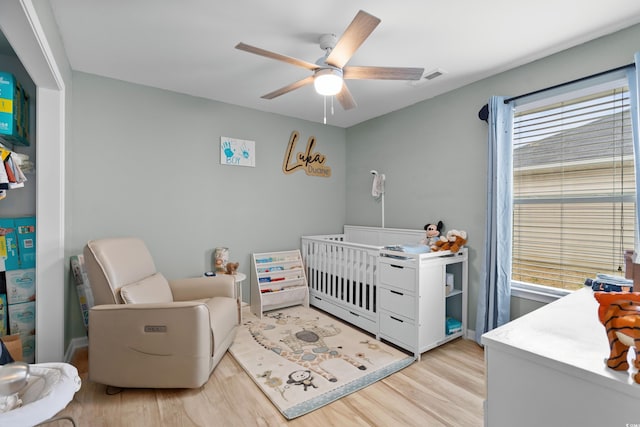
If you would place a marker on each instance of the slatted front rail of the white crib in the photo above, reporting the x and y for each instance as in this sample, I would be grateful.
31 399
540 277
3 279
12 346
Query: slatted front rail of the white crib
341 272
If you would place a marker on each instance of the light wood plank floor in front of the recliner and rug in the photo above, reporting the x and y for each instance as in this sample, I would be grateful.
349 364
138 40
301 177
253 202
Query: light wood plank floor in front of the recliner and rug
446 388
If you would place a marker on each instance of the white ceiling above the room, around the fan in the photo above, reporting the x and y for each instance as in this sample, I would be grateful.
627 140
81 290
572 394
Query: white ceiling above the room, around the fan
188 46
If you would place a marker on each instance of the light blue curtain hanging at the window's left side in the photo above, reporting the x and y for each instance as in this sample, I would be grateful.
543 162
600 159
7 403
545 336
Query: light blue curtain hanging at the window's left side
494 297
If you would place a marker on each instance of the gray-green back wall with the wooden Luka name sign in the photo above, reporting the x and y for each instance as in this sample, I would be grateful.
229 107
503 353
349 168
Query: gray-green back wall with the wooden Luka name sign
146 162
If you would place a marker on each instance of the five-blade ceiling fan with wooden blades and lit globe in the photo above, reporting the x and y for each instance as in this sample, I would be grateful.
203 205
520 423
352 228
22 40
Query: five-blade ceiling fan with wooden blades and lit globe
330 71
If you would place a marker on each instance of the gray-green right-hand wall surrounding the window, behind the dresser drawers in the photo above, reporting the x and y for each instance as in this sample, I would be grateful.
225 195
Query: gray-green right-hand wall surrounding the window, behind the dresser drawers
434 153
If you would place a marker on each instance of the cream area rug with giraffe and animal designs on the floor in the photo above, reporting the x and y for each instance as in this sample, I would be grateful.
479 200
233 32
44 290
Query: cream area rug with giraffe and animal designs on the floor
303 359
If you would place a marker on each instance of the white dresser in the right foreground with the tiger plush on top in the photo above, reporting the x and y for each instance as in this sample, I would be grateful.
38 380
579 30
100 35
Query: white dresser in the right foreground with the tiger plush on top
547 368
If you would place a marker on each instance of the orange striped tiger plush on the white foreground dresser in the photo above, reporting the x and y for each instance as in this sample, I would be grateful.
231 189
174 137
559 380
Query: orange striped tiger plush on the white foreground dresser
619 312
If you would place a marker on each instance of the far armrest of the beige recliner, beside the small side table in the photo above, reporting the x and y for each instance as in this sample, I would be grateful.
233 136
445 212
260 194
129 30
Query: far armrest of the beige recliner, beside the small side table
196 288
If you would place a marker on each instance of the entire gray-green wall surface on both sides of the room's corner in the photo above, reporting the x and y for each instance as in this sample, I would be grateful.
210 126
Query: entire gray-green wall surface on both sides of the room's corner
145 162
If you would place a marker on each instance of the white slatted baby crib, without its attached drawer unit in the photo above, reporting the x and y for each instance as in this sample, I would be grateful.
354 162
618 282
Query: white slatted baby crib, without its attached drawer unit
341 270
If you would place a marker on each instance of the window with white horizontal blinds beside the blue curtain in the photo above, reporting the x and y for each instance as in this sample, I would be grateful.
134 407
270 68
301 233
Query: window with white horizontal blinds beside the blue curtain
573 187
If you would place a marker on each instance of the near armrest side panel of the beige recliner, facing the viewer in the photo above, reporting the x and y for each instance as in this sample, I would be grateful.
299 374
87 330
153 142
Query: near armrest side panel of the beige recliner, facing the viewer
156 345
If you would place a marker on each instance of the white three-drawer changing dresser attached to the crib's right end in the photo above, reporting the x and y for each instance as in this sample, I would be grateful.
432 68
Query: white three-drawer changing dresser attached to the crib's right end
414 301
